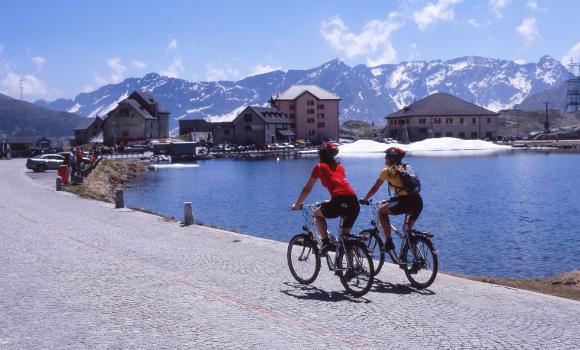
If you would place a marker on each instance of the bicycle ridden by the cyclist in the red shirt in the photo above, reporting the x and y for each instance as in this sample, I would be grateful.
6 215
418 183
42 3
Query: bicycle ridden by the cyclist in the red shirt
352 261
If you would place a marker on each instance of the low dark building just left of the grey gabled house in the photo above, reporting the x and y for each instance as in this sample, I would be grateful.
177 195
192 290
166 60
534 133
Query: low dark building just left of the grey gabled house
221 132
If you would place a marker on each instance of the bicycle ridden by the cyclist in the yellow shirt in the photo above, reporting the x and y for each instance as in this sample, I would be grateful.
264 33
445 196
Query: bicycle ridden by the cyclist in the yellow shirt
420 262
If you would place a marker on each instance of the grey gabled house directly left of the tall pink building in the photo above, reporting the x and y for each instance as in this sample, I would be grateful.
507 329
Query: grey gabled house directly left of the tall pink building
262 125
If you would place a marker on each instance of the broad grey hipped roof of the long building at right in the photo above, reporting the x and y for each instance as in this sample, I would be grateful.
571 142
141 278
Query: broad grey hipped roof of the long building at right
441 104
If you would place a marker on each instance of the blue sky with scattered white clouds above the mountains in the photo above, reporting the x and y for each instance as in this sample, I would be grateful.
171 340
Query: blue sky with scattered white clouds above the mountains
63 48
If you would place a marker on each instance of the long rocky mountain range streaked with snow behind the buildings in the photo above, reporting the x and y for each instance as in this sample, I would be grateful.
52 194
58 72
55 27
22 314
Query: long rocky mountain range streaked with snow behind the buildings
367 92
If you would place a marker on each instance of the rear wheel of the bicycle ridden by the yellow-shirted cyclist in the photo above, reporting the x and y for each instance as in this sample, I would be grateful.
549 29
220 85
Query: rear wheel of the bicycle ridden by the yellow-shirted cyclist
420 270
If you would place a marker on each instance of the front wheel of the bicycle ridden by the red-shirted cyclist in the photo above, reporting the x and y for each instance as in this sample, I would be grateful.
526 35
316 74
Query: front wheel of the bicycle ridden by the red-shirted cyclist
303 259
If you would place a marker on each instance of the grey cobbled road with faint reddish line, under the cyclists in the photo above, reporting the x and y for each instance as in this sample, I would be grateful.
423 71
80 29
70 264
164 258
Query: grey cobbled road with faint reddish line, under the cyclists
77 274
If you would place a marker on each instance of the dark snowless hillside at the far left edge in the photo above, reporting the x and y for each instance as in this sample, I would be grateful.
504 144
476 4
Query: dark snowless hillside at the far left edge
20 118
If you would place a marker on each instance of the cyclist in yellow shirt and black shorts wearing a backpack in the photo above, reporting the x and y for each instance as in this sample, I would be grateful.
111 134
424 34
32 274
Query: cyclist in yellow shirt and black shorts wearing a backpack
405 201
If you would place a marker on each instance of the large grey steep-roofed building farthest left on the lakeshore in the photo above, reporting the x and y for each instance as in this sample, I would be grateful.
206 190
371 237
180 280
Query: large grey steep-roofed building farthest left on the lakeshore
137 118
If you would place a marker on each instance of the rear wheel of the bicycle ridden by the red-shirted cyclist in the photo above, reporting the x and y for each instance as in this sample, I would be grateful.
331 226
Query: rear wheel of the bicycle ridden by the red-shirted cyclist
358 276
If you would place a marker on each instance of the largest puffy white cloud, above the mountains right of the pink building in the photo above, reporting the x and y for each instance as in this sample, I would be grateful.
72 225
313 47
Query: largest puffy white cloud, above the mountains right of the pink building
374 38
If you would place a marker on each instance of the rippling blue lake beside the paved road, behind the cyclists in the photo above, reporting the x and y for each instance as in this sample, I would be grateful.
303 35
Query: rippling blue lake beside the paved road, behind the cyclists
509 214
